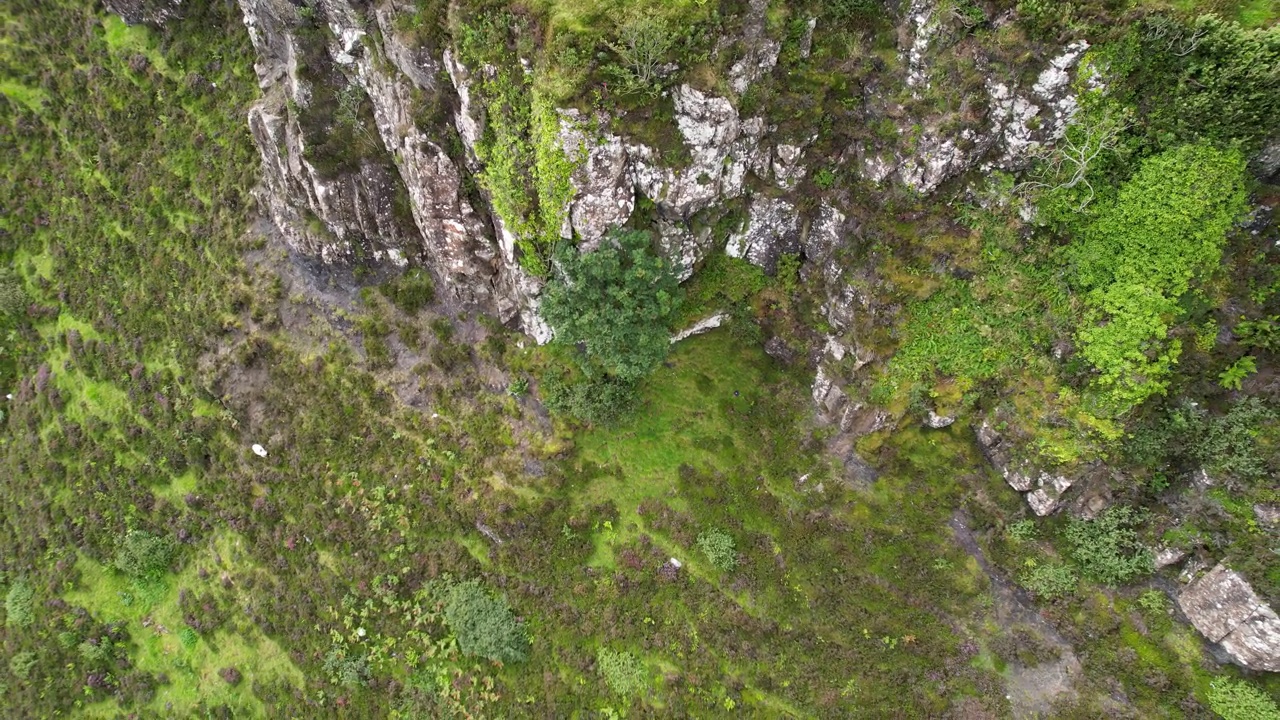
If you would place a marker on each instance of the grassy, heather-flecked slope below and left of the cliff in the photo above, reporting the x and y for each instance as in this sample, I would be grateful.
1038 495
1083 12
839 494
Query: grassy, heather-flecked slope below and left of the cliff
844 604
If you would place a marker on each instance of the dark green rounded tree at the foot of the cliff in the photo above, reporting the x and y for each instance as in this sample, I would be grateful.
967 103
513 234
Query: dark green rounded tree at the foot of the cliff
616 303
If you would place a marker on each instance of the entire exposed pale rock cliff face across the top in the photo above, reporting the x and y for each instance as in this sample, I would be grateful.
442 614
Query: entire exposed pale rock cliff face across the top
401 197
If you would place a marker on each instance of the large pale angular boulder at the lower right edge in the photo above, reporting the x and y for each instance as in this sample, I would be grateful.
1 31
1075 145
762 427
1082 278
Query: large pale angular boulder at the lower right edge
1228 612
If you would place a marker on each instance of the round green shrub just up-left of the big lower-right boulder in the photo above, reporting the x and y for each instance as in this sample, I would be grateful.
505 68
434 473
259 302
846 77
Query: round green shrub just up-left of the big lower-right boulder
1108 548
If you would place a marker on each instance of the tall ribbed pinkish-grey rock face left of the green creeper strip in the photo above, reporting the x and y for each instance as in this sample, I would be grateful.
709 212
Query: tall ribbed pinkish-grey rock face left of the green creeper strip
405 207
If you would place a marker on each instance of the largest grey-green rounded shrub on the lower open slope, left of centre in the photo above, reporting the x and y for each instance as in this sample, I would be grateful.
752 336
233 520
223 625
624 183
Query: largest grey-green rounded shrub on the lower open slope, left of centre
484 625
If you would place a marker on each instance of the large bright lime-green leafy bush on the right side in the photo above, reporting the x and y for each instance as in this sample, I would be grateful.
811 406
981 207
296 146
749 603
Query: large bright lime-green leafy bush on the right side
1165 230
